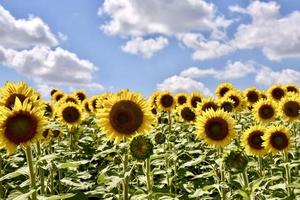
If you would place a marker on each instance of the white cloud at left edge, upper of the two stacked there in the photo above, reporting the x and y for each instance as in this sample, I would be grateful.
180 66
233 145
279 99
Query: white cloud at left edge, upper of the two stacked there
24 33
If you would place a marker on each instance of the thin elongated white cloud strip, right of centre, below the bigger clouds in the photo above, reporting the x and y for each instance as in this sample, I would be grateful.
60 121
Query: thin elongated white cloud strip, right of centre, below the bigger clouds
233 70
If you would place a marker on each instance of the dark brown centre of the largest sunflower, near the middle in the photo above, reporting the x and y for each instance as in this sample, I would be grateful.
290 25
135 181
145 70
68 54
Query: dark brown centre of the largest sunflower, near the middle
126 117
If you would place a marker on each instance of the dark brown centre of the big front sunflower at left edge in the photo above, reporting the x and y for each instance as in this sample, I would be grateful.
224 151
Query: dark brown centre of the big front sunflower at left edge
21 127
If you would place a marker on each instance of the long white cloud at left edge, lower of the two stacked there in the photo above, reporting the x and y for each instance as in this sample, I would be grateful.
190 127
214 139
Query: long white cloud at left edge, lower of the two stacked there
45 65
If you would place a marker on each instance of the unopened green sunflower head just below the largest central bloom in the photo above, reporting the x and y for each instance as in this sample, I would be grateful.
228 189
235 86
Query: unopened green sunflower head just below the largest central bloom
141 147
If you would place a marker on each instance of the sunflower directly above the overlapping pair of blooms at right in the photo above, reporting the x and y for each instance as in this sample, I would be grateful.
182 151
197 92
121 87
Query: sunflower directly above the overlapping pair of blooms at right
264 111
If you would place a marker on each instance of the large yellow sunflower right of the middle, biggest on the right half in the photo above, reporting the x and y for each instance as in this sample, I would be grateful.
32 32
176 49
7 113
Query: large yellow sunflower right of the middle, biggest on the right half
215 127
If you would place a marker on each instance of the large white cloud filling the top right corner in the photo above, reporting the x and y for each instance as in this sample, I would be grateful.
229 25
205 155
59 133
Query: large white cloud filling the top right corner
278 36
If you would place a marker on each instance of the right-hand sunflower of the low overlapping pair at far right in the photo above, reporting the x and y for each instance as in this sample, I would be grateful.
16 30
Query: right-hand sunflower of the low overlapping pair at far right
277 139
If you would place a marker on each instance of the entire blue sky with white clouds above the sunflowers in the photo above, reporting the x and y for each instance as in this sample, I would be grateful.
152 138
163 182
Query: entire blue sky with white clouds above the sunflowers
147 45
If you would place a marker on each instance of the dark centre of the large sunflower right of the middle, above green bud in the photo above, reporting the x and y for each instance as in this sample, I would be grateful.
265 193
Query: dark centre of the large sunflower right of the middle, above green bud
216 128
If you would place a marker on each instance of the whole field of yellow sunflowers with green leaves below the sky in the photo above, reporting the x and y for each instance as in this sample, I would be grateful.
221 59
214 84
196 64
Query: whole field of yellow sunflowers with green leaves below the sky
235 145
